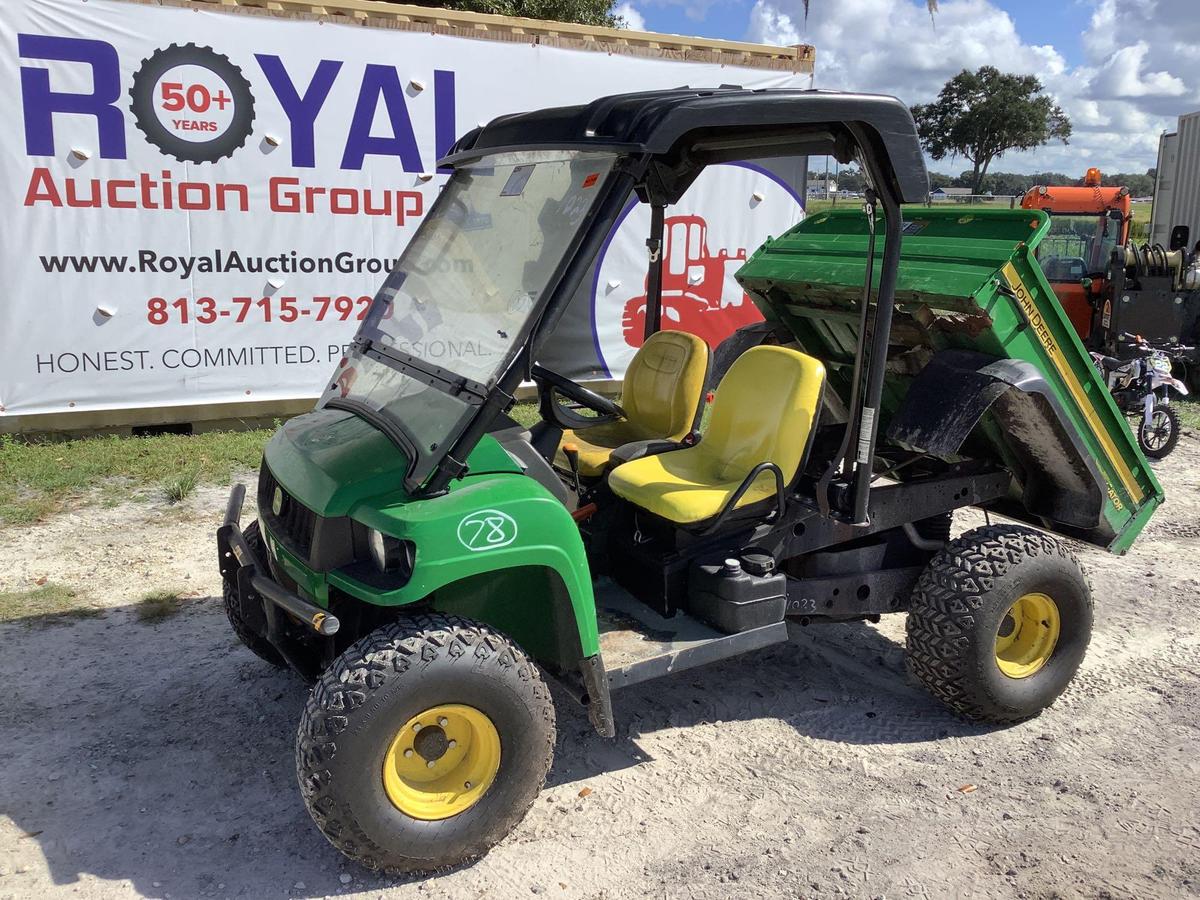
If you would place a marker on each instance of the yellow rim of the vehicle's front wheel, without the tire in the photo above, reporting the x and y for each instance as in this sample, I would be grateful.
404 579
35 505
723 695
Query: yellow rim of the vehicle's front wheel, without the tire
441 763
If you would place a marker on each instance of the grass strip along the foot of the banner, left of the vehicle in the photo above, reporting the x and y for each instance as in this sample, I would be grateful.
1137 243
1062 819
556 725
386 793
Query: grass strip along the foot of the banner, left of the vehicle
39 478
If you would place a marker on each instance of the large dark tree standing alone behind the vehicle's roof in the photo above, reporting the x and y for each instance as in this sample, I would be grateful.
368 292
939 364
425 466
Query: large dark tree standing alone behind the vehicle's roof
982 115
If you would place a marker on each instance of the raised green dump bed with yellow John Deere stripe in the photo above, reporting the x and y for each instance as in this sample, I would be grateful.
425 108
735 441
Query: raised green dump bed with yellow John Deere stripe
968 280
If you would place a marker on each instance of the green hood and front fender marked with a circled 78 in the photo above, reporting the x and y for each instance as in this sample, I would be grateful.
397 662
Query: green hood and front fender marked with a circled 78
338 465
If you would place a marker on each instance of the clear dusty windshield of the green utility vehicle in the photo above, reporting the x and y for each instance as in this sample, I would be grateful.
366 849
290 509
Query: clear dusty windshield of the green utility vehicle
453 315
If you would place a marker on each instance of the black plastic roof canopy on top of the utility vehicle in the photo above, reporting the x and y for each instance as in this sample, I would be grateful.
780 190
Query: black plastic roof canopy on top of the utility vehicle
689 129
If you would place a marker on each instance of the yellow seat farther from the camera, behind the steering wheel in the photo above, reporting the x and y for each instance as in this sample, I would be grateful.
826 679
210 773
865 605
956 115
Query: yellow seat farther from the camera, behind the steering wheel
662 397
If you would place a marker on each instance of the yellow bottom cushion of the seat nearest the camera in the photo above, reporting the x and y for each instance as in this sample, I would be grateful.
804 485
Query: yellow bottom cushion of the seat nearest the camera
682 487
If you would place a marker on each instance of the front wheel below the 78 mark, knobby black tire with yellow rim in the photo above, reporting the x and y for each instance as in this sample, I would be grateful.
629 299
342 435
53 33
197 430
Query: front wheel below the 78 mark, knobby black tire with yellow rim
425 743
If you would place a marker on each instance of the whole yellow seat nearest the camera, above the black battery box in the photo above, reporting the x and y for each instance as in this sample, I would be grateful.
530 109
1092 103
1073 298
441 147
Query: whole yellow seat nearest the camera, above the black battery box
765 412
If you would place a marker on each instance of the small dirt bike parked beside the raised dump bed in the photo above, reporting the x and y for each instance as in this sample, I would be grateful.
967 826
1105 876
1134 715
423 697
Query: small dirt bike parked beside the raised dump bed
1143 386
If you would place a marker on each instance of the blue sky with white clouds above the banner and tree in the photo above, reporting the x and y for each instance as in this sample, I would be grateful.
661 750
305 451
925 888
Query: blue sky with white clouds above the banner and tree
1124 70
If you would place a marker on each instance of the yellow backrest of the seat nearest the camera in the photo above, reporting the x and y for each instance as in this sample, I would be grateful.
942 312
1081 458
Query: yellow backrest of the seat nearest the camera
765 411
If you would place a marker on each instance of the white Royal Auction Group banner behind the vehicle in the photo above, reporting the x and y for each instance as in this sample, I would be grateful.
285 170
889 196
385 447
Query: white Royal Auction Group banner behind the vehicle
200 206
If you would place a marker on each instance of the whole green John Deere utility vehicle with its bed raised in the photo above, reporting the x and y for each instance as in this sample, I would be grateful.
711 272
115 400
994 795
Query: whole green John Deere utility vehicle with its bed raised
428 561
